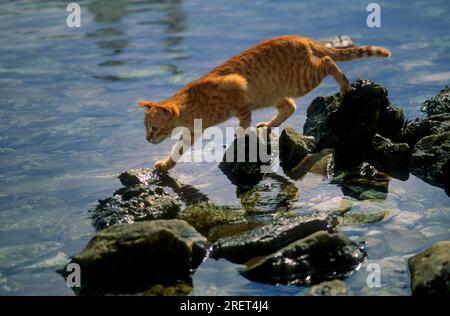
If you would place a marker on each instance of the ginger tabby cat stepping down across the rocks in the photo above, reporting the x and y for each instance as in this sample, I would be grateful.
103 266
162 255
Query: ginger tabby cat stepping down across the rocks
272 72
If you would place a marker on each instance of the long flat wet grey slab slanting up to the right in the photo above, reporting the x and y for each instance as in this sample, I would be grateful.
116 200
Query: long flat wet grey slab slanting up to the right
269 238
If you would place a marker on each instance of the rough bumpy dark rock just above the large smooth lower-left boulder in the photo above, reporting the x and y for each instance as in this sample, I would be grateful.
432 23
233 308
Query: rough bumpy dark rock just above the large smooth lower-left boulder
135 203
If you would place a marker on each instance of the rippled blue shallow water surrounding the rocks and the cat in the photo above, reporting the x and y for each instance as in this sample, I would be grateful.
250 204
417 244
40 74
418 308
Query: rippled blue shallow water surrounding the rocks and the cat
69 126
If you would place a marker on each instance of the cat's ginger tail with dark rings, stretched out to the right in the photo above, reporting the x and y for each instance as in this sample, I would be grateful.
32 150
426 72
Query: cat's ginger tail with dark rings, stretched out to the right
344 54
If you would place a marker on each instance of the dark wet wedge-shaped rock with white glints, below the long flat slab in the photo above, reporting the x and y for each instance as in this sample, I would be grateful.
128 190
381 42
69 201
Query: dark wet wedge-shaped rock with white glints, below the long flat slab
319 257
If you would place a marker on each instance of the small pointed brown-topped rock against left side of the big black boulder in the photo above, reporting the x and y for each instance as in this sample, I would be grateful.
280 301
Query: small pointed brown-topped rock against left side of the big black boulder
294 147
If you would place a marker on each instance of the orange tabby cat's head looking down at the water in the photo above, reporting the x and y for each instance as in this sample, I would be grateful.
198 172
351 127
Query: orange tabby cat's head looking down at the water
160 119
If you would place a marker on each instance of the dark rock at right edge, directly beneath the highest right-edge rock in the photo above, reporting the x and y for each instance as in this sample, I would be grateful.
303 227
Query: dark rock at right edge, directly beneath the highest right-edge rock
420 128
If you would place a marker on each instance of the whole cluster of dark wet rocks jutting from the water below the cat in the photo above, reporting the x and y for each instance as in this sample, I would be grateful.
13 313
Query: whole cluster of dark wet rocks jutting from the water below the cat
150 240
